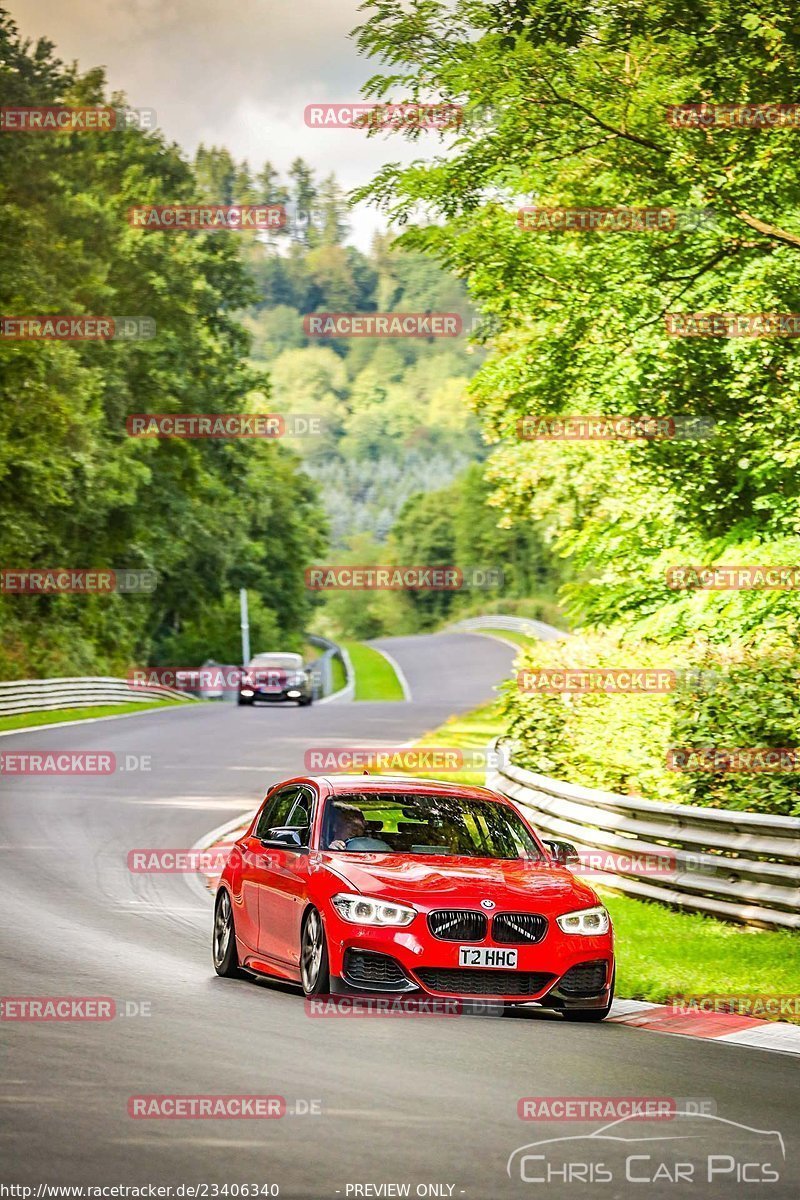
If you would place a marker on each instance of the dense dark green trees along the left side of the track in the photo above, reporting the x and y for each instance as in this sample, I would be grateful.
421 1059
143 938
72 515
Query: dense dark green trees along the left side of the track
208 518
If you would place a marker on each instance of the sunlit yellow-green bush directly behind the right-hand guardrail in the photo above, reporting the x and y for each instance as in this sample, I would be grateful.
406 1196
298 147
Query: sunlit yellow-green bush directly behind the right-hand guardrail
724 699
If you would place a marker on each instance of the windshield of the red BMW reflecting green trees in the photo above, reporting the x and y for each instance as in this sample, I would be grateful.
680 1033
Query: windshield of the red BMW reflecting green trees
412 824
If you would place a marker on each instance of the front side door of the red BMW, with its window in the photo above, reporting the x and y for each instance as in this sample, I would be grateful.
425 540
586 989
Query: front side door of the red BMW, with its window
285 890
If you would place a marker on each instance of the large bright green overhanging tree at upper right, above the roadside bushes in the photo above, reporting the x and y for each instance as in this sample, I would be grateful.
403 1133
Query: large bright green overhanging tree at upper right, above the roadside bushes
570 111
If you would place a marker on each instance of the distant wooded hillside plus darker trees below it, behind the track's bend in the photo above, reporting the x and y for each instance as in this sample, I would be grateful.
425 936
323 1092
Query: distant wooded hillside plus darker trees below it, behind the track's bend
398 463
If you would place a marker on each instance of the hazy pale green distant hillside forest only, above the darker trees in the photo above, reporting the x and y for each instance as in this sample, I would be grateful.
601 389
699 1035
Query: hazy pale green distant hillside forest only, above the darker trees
394 413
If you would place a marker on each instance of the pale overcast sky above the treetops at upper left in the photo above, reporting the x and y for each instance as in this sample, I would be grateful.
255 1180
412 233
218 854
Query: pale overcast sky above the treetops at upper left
231 74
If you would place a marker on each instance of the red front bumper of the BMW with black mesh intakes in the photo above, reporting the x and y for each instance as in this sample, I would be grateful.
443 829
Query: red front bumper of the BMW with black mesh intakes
562 971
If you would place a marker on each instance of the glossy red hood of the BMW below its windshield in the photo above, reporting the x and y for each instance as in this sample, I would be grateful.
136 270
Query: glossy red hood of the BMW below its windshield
434 883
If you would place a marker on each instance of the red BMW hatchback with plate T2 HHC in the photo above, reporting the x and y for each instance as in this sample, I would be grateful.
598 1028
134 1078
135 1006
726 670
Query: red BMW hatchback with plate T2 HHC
370 885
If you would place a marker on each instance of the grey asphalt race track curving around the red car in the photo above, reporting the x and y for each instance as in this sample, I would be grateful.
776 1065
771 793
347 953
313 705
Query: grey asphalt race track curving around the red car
419 1102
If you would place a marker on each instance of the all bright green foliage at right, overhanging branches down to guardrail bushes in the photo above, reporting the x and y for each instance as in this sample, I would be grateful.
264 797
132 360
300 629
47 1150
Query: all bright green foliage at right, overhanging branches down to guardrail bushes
567 107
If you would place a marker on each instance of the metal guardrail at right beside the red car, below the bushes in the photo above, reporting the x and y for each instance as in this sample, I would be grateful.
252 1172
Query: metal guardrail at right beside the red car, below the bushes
742 867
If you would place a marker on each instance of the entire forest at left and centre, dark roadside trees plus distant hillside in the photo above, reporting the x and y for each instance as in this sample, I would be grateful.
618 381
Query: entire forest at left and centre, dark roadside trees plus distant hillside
212 517
